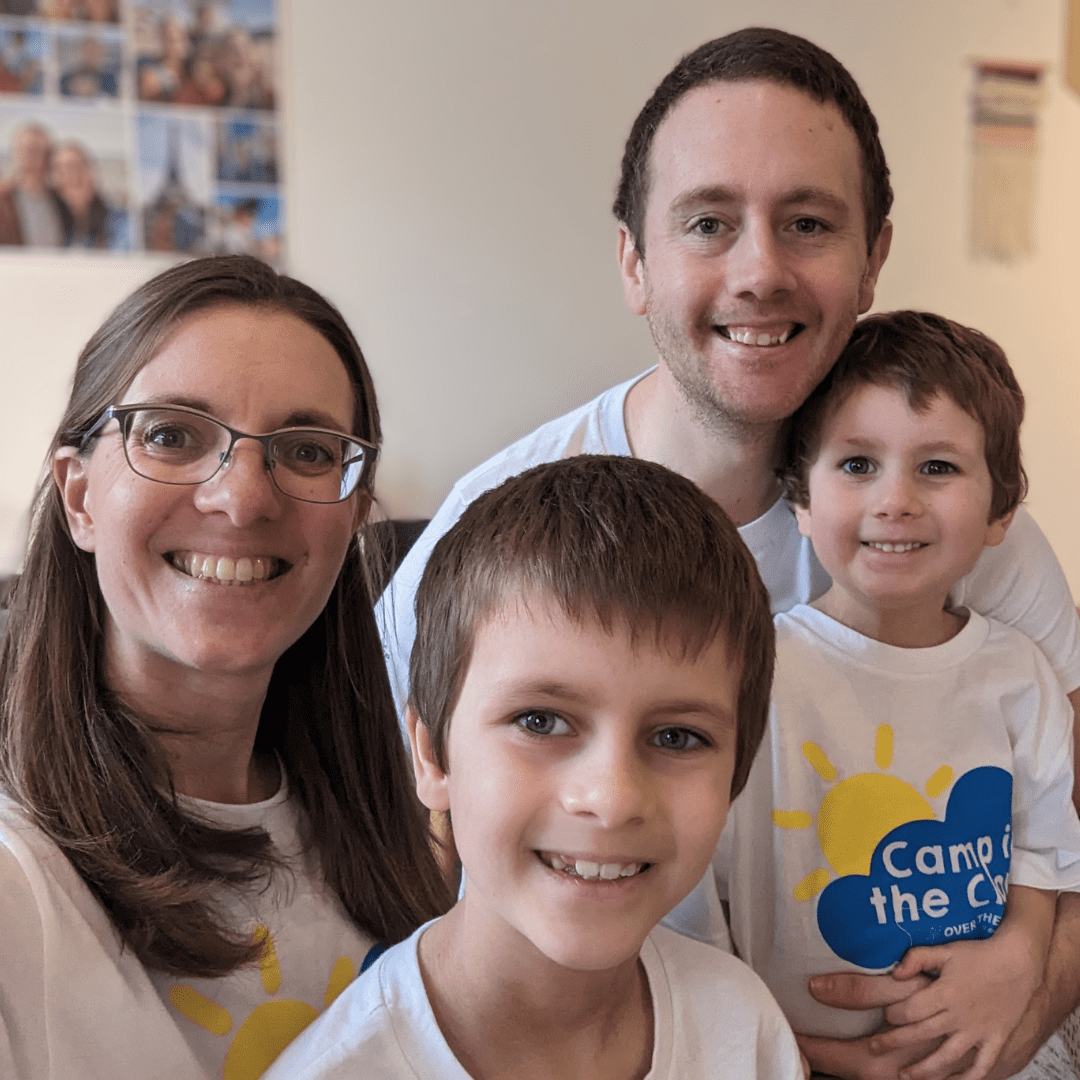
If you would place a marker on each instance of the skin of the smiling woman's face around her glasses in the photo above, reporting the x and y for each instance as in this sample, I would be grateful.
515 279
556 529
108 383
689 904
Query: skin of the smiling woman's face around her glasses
161 549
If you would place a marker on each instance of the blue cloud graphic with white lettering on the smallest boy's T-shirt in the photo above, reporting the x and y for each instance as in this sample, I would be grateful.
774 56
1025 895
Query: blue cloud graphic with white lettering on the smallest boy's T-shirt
930 882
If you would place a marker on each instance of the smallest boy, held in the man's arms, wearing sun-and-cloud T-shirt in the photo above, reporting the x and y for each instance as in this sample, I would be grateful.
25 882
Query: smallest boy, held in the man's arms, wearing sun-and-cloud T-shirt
919 761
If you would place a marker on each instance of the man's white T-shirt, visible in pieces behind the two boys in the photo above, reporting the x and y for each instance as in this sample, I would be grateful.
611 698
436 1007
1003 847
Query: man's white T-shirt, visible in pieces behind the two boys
1019 583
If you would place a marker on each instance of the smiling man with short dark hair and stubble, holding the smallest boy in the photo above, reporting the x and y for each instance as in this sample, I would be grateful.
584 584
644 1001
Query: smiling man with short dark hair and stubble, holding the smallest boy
752 227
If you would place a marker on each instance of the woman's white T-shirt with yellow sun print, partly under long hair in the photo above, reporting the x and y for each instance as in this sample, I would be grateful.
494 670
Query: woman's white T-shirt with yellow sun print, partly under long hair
76 1006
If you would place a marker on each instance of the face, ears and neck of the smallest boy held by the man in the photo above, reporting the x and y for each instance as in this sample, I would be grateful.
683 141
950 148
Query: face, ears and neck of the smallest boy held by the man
900 504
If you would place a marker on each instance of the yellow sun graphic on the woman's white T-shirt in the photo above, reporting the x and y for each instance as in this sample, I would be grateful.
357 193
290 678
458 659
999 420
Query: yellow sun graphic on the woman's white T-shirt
272 1027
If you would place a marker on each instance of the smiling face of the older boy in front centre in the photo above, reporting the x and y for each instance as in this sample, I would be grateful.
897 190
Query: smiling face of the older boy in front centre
588 781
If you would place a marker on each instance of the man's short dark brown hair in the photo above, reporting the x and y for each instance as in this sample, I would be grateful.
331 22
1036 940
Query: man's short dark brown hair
755 53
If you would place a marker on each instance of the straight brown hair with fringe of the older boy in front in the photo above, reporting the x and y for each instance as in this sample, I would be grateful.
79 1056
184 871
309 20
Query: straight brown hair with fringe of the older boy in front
613 538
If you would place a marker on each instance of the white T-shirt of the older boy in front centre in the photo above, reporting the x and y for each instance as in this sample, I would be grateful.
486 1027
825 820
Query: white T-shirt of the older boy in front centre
712 1019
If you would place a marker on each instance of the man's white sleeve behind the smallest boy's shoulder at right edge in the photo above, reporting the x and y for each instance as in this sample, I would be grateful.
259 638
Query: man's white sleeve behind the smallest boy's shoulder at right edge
1022 585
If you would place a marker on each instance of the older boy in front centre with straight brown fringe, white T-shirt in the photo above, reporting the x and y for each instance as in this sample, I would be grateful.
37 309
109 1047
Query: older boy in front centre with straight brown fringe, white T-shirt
590 684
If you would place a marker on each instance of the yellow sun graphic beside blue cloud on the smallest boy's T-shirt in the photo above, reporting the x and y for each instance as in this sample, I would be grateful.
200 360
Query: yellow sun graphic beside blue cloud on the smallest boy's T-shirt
858 813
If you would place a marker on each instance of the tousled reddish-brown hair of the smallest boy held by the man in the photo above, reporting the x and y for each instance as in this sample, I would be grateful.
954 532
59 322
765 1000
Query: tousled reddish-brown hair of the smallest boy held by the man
922 356
